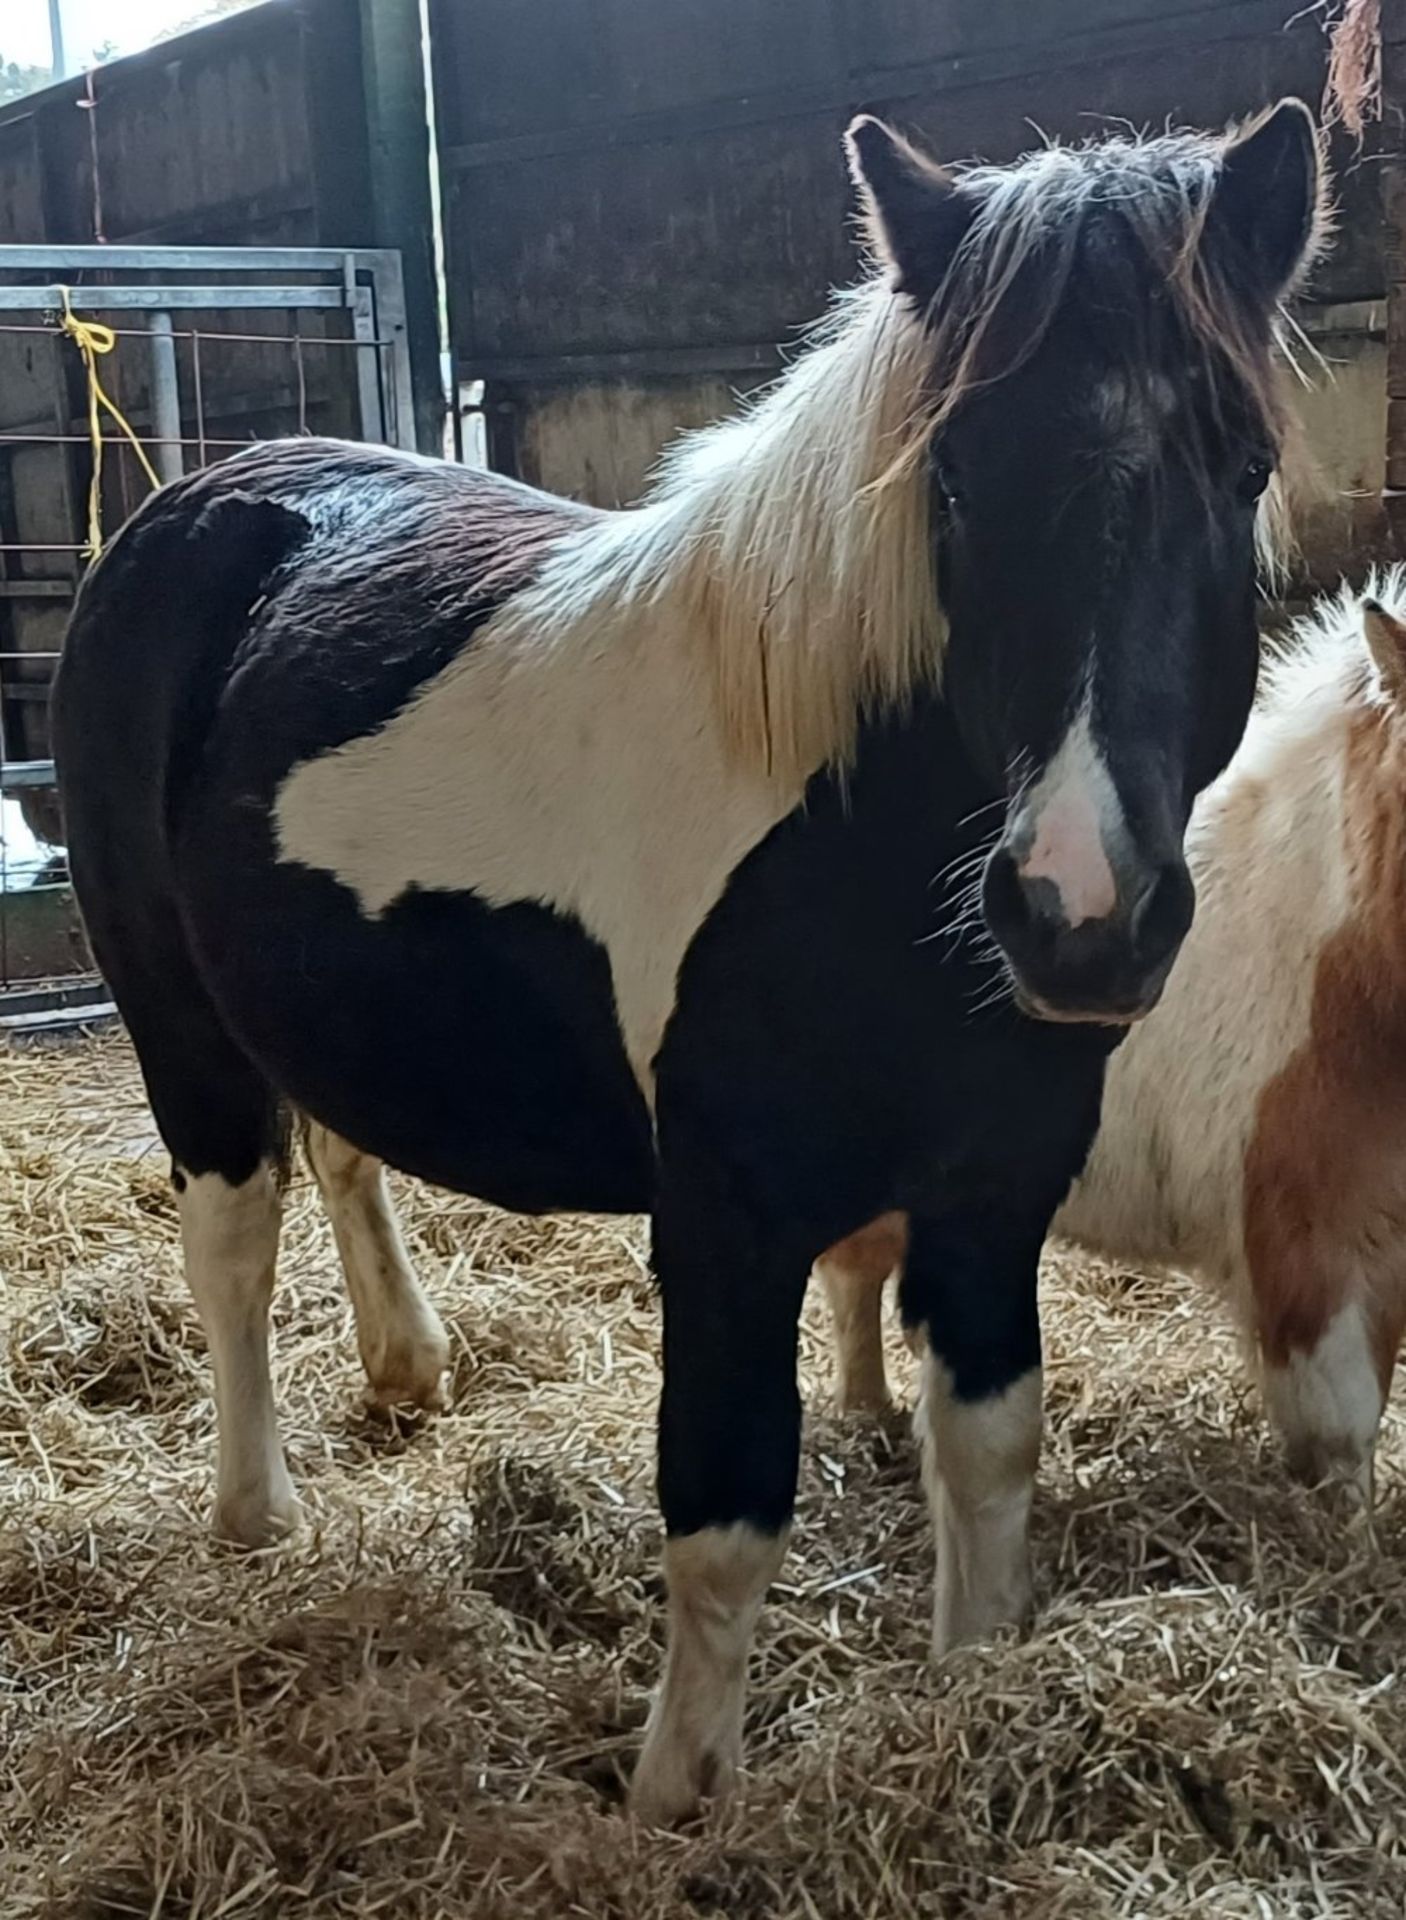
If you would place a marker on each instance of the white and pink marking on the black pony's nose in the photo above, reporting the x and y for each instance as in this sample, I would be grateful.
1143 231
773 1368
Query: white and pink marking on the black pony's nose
1071 823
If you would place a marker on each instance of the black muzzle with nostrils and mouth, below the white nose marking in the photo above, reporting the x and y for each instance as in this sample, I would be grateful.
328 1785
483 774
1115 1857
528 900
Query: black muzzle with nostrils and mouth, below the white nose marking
1107 967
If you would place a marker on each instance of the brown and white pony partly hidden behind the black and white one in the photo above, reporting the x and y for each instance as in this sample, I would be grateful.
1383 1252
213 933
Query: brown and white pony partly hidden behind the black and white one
1255 1124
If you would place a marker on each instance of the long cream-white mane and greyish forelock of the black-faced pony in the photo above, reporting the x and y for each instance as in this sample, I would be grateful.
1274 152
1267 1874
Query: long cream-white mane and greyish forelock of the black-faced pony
794 542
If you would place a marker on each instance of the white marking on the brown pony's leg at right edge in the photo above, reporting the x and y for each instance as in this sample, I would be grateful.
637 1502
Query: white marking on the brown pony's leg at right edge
1328 1404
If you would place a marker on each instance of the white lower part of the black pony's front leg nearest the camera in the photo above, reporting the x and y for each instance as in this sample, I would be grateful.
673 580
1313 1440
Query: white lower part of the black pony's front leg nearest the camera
717 1581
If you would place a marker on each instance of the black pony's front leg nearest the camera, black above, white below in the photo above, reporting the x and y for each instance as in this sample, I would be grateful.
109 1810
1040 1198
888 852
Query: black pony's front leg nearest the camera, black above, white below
729 1451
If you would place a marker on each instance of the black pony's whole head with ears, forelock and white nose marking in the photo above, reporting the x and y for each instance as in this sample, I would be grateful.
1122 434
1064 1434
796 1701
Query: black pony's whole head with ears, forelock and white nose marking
1103 427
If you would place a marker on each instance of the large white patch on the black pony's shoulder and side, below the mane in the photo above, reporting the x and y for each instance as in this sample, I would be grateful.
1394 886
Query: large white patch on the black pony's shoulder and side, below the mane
589 775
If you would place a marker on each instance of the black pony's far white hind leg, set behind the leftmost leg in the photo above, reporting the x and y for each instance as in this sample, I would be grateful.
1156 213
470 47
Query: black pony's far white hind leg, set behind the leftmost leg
402 1339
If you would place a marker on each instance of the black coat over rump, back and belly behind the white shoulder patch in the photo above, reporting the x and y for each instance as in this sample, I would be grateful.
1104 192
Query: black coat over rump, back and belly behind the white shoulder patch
208 658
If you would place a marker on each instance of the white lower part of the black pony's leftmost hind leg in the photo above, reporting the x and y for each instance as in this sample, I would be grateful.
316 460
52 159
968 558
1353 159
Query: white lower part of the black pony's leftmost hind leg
231 1245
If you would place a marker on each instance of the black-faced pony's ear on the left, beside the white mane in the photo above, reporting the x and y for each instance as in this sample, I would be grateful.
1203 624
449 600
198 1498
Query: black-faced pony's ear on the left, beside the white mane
913 210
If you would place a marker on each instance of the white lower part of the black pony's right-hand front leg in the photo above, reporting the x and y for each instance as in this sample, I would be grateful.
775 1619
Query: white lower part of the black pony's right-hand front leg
979 1466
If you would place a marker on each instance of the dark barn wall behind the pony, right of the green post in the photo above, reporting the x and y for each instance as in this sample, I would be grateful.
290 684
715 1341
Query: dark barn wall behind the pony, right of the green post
646 199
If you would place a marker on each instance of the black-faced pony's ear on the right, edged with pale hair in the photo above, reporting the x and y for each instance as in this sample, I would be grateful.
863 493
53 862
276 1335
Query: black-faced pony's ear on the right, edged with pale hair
1273 197
